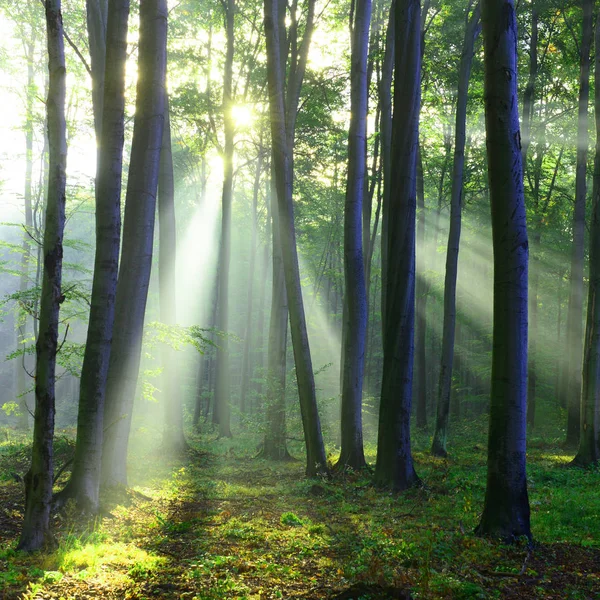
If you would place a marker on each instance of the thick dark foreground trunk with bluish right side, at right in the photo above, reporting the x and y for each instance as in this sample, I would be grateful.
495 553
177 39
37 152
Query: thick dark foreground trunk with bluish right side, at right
506 507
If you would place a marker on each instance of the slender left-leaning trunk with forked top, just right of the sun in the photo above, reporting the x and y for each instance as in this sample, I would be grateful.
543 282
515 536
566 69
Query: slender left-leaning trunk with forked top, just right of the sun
282 135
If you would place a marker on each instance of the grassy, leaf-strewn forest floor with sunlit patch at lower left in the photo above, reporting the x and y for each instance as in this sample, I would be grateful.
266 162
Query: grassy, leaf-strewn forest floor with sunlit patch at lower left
221 523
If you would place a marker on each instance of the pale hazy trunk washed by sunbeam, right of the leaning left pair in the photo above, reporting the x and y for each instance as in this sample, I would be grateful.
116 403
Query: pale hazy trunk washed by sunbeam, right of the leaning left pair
173 436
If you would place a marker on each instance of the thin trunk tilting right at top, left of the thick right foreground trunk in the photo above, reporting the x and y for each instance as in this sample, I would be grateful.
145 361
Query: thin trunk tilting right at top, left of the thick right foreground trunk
440 436
